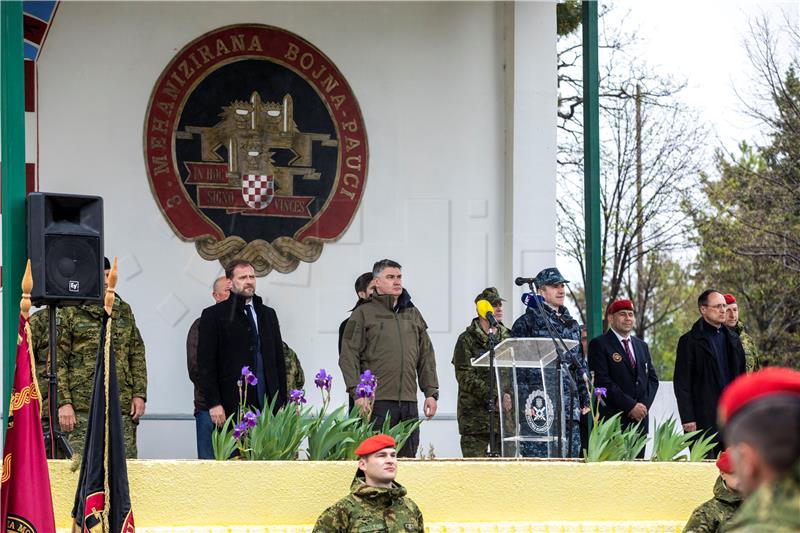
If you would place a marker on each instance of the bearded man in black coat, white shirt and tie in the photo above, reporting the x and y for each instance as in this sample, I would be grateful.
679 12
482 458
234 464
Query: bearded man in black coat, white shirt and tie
240 331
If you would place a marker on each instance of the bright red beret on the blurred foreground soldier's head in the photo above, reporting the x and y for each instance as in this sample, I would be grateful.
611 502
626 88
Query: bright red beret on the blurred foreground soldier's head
747 388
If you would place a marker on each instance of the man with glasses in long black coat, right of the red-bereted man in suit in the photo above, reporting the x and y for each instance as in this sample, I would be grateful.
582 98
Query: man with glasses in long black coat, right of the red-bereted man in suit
708 358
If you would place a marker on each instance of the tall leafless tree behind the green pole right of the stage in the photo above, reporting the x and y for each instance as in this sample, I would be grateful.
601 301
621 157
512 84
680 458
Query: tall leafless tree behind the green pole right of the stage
652 149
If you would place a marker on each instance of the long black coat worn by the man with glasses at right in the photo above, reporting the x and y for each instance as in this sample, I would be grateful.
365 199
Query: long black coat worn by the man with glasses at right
697 381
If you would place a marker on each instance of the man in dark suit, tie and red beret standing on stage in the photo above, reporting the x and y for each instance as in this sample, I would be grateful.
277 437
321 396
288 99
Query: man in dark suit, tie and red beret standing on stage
621 364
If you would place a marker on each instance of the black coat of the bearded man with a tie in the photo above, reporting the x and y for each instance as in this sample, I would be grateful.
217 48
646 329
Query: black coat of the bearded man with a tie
224 348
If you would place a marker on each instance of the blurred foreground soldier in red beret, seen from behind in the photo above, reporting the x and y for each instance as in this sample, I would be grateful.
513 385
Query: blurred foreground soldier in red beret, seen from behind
759 415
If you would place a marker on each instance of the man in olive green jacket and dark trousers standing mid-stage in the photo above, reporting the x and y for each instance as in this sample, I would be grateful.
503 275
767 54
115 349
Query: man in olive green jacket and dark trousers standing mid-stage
388 336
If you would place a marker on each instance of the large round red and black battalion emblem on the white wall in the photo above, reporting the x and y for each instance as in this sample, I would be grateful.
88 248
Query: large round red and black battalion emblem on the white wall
255 147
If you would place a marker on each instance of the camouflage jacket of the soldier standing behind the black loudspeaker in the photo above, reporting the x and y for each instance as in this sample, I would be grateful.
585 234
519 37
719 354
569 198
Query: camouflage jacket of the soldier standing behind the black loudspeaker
78 343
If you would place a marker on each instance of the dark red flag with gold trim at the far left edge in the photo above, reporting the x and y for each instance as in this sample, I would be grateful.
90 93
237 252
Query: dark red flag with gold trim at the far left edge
27 504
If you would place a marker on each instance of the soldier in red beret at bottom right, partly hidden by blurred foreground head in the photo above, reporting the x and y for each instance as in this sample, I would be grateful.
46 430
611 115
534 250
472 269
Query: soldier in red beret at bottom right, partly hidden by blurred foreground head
713 514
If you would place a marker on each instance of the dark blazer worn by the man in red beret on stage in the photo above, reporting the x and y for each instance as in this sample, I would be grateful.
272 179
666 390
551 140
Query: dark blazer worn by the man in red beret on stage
625 386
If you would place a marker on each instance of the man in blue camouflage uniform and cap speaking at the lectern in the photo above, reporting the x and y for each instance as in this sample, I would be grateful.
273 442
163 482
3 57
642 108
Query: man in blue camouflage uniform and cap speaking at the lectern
550 285
